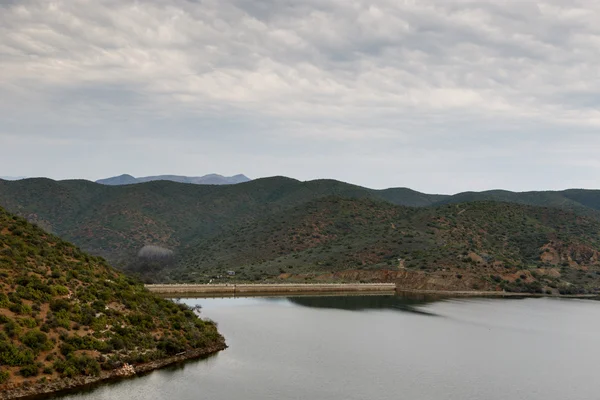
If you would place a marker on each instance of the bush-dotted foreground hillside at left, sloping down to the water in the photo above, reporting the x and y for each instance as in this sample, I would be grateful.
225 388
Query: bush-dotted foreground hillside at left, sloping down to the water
68 318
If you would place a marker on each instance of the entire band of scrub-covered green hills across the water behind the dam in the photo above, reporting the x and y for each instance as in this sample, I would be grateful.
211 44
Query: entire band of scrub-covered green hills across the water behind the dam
282 228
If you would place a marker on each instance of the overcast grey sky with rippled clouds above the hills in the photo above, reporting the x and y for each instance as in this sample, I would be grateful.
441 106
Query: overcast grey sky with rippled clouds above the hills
439 96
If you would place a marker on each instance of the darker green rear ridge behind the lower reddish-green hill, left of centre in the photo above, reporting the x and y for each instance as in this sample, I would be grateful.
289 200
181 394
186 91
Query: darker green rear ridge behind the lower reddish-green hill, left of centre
117 221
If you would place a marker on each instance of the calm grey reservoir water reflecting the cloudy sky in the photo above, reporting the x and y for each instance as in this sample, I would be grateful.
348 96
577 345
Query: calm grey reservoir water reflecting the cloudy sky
385 347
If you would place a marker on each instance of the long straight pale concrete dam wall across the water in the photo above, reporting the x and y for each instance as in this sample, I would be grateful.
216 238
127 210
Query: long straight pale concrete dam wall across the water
272 288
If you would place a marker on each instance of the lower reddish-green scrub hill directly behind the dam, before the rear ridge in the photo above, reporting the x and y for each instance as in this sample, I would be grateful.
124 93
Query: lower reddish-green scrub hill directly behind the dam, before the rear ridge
336 234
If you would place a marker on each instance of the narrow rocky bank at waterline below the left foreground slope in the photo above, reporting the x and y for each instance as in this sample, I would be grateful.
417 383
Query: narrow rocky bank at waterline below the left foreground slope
38 389
